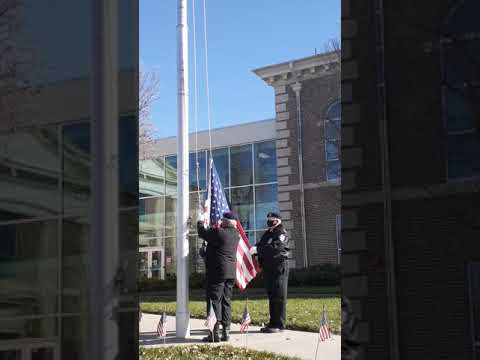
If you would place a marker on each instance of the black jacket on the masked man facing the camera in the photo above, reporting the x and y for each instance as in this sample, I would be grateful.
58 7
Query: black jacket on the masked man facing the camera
272 249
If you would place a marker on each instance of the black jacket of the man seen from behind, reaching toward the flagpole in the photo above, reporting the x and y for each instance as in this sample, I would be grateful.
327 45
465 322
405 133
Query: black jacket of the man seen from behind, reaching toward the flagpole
221 253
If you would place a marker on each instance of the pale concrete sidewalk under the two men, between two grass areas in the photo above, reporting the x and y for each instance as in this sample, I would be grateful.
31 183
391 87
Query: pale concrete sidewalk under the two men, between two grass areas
292 343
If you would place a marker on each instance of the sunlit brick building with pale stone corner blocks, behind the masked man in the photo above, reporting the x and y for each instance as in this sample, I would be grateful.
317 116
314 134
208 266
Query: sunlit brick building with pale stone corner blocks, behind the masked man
307 104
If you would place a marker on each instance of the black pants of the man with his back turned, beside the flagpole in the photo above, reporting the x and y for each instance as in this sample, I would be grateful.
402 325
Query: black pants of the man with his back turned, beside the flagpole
219 294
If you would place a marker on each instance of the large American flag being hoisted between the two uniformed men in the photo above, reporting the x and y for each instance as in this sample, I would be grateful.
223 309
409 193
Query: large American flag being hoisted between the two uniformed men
217 205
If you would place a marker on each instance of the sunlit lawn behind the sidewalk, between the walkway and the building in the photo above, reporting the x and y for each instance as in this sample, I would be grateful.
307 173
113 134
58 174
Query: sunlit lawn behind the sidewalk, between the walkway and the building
302 313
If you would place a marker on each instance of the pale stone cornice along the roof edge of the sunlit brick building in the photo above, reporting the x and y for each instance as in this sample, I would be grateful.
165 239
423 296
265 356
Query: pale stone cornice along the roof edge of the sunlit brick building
301 69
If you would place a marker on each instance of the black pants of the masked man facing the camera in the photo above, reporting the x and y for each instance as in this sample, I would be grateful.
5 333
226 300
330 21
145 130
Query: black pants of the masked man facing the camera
276 281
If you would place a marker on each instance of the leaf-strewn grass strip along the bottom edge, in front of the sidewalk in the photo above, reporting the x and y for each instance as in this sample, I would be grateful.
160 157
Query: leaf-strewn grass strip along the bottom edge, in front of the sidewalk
206 352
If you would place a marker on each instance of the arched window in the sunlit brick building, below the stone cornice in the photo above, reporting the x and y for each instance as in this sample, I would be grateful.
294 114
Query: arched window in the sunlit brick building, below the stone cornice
333 141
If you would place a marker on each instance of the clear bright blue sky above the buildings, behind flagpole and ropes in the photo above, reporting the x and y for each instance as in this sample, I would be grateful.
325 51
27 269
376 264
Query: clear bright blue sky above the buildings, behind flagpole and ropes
242 36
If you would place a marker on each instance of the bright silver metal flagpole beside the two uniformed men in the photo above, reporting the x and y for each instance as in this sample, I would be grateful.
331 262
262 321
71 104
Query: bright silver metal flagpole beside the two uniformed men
182 313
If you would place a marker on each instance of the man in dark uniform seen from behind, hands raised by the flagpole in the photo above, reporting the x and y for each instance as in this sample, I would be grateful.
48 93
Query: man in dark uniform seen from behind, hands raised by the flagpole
220 261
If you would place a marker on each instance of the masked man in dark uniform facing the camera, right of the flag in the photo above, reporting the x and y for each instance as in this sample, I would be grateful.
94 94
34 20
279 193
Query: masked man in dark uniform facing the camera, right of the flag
272 253
